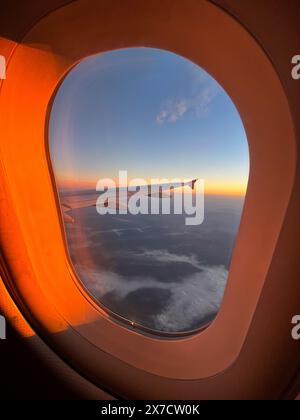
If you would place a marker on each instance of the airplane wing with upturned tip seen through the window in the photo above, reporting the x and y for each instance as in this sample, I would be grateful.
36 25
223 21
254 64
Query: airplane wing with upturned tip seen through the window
69 200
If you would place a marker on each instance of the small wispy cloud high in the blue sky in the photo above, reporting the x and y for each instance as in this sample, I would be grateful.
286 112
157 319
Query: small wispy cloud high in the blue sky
173 110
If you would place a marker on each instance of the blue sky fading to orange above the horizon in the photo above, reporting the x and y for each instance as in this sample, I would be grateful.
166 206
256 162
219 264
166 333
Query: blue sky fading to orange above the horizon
152 113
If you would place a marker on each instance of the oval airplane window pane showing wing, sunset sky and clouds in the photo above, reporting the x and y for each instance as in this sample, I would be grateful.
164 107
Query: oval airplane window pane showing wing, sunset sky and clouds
151 164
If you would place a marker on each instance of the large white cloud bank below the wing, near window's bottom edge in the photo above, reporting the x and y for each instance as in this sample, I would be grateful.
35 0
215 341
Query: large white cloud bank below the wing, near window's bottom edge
193 300
